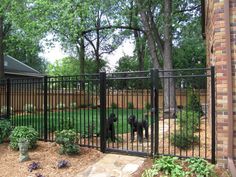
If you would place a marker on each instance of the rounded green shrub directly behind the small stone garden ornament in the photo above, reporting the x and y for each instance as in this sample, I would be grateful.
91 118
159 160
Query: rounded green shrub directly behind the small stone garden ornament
20 132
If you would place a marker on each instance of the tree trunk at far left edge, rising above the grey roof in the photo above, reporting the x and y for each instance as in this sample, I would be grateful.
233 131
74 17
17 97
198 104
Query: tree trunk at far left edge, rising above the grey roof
1 49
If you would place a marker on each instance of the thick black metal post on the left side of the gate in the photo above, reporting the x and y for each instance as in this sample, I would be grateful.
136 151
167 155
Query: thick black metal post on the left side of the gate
103 111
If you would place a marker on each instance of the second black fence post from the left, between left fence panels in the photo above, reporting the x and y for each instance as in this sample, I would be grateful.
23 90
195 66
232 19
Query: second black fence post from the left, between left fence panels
45 108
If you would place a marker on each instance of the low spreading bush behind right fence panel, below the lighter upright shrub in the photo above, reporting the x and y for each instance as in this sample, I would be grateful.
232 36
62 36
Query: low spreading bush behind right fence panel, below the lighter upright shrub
184 139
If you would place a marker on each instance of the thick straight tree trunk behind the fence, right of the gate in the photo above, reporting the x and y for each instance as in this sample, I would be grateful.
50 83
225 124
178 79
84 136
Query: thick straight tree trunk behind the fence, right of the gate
169 84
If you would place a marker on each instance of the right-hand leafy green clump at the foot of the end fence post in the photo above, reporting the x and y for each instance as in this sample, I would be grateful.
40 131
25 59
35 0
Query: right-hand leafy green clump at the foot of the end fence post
200 167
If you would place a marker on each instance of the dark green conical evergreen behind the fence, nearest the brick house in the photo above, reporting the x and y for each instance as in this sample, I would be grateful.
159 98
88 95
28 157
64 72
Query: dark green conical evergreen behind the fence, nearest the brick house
194 103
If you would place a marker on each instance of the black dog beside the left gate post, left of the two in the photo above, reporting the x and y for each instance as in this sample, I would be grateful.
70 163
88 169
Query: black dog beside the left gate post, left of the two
110 129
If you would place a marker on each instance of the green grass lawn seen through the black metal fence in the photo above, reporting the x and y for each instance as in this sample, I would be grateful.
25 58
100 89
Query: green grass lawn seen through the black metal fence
82 120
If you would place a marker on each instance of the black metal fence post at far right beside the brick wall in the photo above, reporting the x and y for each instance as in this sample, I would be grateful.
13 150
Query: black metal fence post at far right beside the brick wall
213 124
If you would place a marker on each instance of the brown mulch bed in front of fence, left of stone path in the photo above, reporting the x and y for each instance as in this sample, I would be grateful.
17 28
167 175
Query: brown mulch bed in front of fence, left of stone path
47 155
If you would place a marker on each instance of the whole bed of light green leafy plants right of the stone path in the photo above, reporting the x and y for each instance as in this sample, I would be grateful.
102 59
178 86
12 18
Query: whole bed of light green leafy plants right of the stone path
174 167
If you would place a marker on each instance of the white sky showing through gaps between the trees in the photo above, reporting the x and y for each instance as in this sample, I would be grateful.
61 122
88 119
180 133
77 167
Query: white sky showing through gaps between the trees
56 53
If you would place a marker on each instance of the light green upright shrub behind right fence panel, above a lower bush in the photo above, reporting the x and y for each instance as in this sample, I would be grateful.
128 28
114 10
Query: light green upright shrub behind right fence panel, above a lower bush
189 120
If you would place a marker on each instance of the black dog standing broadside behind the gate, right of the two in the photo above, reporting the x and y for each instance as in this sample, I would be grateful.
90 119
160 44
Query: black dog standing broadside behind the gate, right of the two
138 126
